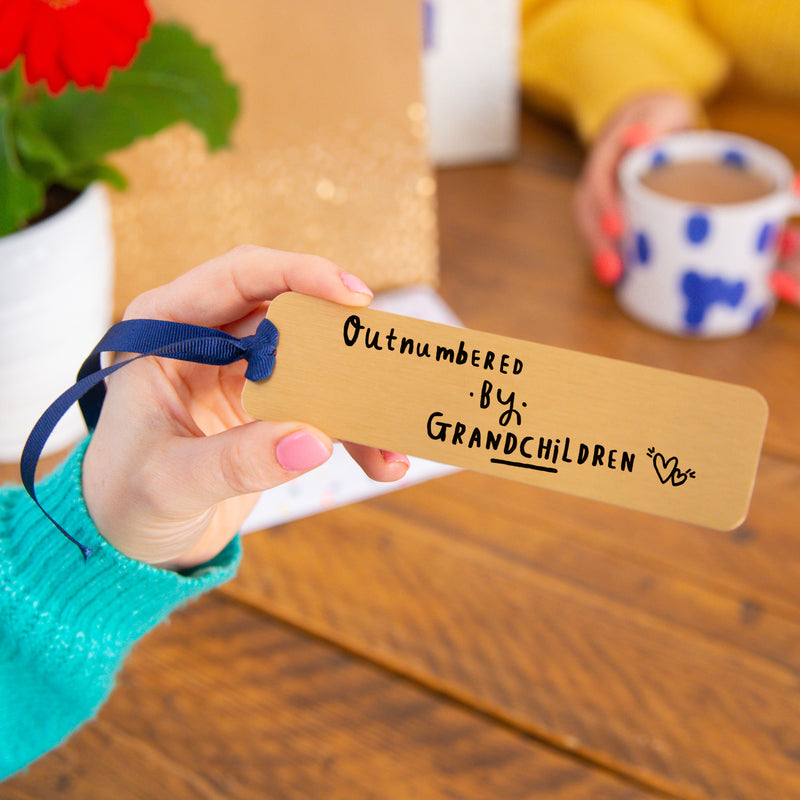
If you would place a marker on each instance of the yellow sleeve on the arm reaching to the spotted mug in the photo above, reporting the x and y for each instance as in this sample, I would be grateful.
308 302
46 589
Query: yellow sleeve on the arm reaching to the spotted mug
582 59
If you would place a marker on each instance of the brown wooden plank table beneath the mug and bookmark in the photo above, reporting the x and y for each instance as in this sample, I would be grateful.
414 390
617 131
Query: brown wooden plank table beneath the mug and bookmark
475 638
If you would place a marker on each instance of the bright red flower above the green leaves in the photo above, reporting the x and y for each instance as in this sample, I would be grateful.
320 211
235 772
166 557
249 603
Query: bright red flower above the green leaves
71 40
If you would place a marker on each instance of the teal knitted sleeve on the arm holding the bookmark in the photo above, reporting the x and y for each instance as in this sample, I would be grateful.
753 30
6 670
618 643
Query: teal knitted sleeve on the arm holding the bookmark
66 625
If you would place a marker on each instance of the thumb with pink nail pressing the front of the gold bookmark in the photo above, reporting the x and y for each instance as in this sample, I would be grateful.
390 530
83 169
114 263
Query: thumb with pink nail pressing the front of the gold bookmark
250 458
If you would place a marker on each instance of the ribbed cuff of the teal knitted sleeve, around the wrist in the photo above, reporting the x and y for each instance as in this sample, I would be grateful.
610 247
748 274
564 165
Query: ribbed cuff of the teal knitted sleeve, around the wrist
99 607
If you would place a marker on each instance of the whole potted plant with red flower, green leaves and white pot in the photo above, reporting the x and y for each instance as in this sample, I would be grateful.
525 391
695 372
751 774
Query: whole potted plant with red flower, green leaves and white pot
79 80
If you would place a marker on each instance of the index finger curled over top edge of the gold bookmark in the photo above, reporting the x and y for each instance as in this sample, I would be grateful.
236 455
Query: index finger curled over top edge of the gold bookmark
238 283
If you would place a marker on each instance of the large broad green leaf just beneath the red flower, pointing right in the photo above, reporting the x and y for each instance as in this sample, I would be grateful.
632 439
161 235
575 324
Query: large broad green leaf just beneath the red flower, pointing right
173 79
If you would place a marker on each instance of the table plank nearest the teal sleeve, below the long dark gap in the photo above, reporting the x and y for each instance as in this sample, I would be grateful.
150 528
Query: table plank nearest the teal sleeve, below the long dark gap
261 710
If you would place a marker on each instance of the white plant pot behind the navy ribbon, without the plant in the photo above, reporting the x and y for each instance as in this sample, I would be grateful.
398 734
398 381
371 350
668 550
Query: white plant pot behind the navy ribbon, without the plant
55 304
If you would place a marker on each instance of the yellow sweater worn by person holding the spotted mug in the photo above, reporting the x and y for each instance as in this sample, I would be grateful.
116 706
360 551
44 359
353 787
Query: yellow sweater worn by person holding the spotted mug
581 59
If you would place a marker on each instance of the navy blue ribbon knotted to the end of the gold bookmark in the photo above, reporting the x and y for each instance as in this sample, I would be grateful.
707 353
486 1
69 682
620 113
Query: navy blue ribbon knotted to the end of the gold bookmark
146 337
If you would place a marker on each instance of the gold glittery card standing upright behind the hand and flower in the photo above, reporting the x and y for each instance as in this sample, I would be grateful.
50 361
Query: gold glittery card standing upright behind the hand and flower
329 153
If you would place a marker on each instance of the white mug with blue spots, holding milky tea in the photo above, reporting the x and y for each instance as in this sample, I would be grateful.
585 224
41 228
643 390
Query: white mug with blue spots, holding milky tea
696 269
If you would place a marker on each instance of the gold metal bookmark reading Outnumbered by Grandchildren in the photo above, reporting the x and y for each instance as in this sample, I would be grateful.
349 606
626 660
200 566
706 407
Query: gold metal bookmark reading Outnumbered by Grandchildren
644 438
